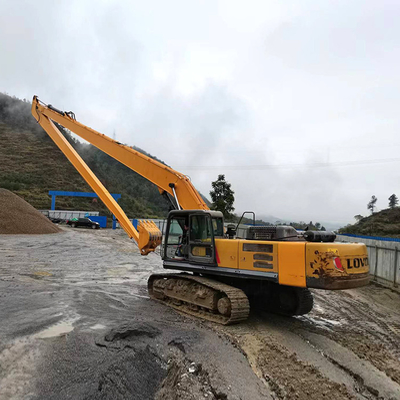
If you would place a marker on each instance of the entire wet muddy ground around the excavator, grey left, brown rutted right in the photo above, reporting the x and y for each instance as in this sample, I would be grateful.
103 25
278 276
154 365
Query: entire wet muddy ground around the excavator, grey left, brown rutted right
76 323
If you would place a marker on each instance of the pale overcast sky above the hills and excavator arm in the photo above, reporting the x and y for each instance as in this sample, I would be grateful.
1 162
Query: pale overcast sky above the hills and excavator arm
296 102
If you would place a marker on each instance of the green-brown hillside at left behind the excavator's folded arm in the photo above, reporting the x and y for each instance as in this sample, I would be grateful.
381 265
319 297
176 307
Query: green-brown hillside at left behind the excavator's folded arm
31 165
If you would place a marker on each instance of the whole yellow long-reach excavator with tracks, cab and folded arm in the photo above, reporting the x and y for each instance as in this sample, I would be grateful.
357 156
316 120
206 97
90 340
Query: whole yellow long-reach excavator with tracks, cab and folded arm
272 267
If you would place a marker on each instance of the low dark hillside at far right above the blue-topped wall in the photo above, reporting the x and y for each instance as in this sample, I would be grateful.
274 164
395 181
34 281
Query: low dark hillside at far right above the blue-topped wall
382 223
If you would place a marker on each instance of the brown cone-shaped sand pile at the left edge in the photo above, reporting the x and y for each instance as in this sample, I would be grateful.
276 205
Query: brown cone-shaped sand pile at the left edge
17 216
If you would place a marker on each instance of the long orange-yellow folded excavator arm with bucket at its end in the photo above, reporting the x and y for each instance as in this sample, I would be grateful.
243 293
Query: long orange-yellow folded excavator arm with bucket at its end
148 236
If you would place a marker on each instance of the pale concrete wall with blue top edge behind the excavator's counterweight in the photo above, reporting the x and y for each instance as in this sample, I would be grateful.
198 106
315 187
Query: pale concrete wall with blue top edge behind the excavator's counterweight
384 259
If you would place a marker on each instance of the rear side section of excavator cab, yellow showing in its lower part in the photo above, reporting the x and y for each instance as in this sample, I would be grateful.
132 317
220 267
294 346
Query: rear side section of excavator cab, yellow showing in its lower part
201 239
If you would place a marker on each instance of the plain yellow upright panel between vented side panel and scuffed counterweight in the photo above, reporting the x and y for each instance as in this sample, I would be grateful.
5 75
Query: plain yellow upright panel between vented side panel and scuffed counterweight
291 258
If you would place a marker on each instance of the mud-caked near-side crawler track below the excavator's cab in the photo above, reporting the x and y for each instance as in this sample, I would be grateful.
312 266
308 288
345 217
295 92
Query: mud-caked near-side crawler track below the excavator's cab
201 297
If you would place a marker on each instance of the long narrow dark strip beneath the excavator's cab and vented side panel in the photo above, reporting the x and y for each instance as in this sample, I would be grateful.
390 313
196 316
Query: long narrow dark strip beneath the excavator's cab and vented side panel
182 266
